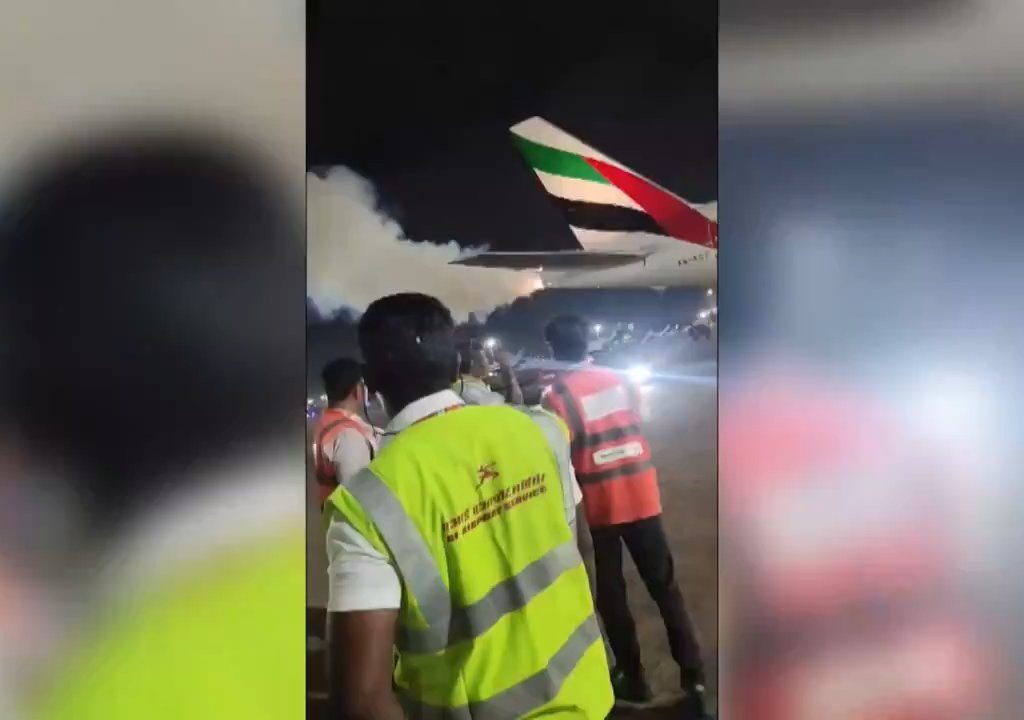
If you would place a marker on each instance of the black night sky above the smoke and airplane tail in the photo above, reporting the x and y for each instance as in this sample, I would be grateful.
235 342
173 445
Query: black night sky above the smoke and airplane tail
419 98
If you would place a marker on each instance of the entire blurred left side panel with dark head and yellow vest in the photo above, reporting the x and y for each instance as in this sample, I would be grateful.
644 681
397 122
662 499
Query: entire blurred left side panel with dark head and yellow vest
152 369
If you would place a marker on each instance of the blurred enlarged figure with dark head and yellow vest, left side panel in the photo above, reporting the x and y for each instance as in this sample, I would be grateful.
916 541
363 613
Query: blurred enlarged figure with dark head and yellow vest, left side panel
152 319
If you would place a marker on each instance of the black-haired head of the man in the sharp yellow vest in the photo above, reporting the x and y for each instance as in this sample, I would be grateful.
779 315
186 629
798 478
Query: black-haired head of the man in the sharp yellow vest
408 343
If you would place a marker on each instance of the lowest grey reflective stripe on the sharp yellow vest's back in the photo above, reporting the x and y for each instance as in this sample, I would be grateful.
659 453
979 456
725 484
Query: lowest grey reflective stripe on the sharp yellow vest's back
522 699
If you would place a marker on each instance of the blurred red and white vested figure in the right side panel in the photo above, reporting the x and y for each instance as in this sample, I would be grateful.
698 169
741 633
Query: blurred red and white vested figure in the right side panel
841 548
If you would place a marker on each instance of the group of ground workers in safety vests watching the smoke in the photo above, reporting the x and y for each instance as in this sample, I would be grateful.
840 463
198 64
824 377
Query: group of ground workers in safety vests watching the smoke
473 538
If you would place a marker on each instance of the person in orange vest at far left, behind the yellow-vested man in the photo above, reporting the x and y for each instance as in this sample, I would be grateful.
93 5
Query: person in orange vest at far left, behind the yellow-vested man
345 443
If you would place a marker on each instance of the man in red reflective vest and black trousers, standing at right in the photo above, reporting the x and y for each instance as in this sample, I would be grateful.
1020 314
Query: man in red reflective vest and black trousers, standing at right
623 504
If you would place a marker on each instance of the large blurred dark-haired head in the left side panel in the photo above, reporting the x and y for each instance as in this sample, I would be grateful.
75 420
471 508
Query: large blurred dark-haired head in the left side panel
151 311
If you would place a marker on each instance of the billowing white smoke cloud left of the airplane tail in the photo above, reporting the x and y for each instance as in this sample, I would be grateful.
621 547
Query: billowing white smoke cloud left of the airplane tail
356 255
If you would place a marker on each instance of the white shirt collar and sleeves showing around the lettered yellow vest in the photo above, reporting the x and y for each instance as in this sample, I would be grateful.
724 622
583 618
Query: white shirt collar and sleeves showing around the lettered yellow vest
360 577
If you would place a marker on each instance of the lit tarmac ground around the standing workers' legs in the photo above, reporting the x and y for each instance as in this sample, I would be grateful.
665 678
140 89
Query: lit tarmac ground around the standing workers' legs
682 431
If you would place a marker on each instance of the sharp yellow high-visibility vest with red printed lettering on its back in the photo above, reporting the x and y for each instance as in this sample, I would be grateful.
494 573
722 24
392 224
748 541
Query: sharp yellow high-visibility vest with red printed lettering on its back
497 620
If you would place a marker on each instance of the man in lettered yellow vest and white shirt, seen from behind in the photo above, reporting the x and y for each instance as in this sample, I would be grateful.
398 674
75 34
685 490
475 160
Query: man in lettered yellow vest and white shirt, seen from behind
456 547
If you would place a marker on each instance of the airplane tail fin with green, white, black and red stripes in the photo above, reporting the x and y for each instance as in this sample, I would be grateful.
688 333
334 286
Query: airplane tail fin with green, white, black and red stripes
609 207
